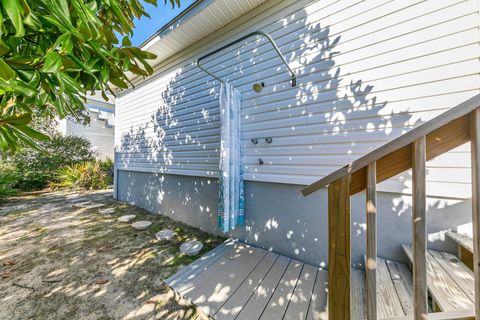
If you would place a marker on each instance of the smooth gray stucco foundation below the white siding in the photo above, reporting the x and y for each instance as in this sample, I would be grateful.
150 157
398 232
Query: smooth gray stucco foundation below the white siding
279 218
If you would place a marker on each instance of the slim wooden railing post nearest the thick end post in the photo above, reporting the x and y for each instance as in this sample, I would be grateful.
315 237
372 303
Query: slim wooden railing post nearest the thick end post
371 267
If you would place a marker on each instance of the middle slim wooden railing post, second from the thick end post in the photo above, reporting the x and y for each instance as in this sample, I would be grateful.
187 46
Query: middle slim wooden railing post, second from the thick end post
419 220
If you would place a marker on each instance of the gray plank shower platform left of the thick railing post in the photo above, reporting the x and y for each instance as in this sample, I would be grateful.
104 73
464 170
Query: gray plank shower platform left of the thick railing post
237 281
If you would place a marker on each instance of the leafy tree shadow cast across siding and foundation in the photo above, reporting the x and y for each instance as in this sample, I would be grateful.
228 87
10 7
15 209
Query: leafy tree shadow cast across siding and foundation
182 138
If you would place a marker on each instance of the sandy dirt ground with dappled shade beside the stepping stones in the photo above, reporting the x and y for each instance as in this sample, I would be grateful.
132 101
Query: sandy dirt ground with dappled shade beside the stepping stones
62 260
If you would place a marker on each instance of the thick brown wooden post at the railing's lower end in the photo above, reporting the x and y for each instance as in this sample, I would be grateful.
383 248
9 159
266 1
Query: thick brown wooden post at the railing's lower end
339 306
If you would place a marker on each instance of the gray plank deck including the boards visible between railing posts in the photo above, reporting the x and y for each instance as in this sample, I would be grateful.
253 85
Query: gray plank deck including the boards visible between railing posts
237 281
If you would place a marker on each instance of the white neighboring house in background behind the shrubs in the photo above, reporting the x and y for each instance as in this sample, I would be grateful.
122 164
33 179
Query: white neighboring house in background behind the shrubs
99 131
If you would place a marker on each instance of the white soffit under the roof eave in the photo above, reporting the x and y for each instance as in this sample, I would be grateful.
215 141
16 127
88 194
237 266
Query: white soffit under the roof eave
198 21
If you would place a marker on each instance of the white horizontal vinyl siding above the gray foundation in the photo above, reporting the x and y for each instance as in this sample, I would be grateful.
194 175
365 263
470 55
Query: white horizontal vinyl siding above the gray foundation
367 72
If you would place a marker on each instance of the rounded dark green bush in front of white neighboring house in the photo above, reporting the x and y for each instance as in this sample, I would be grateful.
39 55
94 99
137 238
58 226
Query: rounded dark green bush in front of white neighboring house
35 169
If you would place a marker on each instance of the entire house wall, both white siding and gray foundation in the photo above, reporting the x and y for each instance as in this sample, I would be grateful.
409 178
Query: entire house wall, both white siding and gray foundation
367 72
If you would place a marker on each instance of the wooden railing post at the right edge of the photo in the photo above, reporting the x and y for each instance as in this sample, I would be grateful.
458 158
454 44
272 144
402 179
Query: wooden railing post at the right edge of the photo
475 150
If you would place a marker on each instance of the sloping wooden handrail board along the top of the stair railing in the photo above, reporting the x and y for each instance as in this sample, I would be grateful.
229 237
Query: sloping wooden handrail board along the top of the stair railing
428 127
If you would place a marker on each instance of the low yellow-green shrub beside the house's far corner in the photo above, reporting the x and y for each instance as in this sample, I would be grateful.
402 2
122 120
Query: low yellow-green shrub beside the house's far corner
87 175
